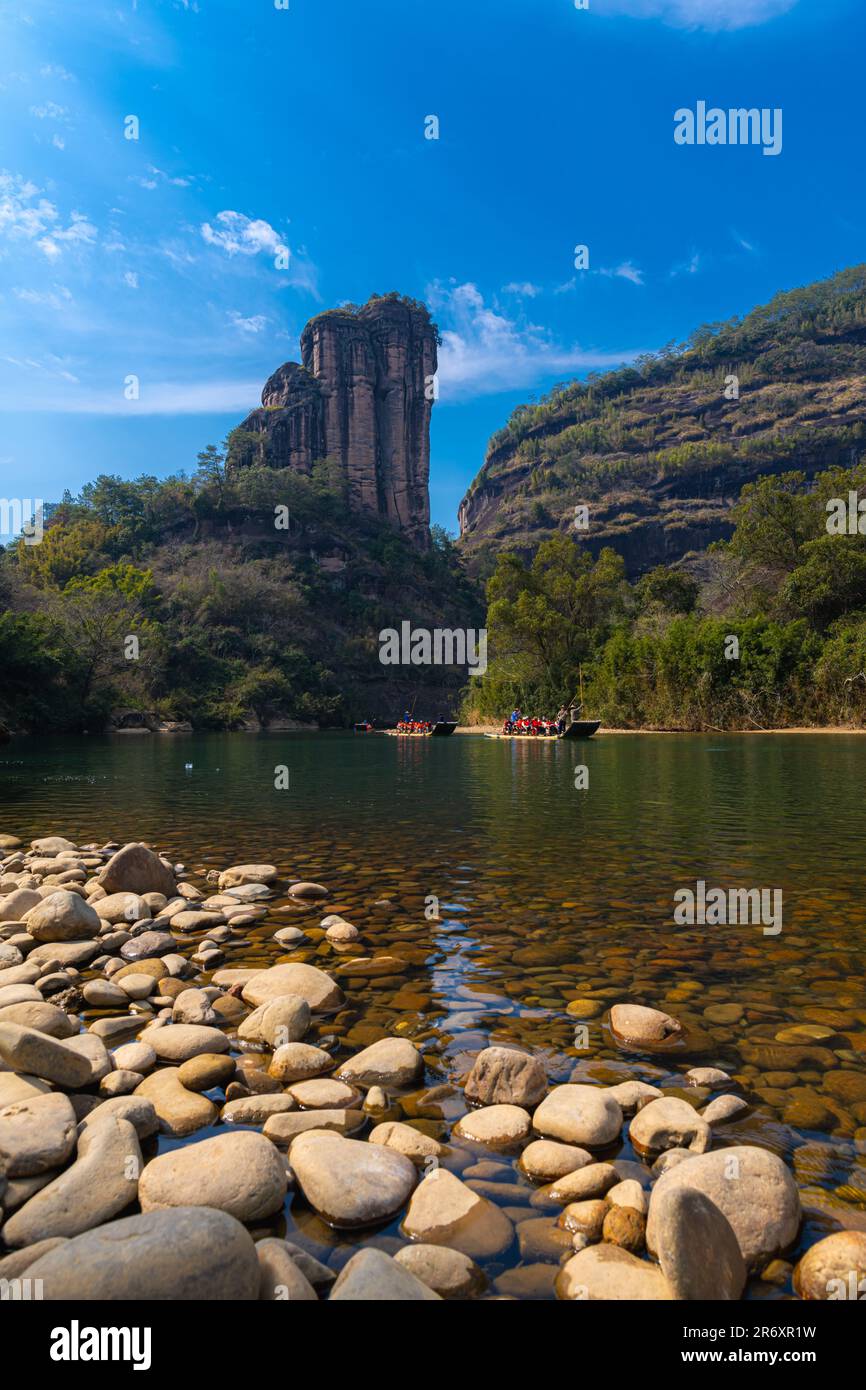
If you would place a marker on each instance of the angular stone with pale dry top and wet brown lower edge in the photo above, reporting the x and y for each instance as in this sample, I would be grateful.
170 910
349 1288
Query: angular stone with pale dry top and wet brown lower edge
444 1211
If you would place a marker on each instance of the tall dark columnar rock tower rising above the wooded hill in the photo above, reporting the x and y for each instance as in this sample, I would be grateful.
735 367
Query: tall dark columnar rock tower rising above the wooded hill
362 400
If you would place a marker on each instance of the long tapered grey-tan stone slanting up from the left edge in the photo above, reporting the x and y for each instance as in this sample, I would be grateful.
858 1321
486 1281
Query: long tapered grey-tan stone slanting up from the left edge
98 1186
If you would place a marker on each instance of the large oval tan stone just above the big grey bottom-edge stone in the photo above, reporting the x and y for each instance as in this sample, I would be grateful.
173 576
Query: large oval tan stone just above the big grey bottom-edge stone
240 1174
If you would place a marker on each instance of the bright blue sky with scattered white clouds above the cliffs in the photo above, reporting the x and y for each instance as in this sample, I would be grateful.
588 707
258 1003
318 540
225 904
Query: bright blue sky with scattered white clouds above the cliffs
304 130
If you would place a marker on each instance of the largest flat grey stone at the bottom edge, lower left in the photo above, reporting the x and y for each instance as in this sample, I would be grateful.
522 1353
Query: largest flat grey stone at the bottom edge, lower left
184 1254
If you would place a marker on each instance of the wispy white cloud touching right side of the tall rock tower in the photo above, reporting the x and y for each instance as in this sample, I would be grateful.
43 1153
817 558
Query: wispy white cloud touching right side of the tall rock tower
486 352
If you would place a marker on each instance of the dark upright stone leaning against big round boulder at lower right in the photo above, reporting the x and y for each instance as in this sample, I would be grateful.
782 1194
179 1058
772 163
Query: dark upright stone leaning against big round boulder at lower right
697 1246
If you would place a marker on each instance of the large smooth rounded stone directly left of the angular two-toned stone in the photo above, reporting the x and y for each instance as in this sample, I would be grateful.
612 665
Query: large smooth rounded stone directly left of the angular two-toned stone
351 1184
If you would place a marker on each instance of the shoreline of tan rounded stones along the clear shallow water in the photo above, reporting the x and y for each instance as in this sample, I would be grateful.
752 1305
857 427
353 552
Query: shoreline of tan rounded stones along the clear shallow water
123 1020
